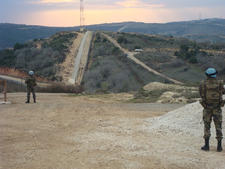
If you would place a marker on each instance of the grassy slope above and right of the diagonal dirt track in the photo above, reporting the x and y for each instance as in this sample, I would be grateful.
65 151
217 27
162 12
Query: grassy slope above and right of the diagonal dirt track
159 53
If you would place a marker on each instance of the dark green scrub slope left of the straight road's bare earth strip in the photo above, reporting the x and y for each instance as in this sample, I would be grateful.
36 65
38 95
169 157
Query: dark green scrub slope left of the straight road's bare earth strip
42 56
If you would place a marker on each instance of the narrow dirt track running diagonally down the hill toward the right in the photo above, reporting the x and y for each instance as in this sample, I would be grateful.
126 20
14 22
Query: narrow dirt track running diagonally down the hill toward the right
131 56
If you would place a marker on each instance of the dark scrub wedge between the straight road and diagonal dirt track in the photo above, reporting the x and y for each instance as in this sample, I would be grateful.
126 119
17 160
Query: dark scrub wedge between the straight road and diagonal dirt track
109 70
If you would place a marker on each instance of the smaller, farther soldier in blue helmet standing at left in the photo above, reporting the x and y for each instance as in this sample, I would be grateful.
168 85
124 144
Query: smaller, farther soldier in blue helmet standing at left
31 83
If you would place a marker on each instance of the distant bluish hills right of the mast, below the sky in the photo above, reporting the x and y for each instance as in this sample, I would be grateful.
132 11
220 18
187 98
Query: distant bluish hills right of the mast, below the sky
212 30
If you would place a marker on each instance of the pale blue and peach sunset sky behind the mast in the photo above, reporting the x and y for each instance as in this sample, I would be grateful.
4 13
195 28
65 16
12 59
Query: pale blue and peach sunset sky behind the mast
67 12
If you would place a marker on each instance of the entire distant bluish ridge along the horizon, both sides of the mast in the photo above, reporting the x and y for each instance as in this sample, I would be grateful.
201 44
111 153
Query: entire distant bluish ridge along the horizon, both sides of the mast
212 30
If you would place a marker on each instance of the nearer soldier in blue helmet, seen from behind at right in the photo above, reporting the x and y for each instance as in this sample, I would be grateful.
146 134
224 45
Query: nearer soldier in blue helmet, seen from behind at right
211 92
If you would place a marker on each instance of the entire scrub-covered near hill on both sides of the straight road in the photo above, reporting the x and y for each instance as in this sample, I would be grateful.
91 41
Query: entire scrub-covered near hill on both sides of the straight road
110 68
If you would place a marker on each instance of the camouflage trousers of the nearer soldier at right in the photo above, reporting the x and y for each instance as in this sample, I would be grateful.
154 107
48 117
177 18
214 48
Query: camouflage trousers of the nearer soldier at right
216 115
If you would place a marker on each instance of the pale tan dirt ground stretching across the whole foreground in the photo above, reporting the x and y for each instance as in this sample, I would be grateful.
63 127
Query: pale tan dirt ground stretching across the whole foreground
98 132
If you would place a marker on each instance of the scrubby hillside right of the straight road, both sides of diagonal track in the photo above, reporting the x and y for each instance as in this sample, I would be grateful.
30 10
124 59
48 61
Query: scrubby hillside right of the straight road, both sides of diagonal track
109 68
